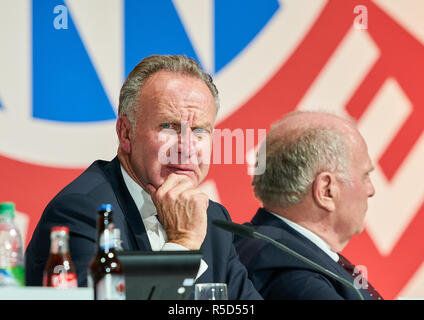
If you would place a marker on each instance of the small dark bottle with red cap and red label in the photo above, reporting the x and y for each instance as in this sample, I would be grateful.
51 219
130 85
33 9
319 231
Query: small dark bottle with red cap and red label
59 271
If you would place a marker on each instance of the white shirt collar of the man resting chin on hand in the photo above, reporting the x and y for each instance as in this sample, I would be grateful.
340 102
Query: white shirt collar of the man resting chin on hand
142 199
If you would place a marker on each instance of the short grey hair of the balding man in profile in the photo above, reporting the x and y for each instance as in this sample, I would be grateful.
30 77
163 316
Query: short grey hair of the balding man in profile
293 161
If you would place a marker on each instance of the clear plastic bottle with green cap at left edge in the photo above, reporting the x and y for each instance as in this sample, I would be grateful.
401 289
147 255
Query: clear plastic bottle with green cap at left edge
12 272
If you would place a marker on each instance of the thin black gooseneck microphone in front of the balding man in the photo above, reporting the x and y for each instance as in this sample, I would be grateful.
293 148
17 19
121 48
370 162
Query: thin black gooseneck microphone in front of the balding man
250 232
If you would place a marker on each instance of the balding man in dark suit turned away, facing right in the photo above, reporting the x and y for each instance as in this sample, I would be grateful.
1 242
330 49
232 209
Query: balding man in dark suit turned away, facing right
314 193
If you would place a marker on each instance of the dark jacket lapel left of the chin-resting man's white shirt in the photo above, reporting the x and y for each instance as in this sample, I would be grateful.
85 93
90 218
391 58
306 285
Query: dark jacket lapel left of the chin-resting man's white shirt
127 204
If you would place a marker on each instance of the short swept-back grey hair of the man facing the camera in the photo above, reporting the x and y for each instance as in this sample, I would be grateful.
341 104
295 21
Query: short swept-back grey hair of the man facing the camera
131 89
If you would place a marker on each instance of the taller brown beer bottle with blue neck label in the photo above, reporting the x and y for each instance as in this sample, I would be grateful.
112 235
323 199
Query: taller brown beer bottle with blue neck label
105 273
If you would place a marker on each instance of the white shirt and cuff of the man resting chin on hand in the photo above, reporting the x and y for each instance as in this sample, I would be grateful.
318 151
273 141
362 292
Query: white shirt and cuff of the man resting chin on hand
155 231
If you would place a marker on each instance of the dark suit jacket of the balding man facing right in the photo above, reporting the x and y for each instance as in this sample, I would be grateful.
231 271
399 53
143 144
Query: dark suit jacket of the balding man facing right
278 275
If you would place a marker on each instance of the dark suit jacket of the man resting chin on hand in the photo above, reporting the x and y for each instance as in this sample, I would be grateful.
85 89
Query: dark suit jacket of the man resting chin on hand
75 206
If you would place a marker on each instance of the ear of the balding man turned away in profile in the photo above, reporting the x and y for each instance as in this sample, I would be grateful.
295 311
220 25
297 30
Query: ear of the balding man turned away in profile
325 191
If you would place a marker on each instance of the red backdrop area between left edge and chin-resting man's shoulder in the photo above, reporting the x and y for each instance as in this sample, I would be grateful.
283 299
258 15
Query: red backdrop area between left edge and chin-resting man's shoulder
31 186
